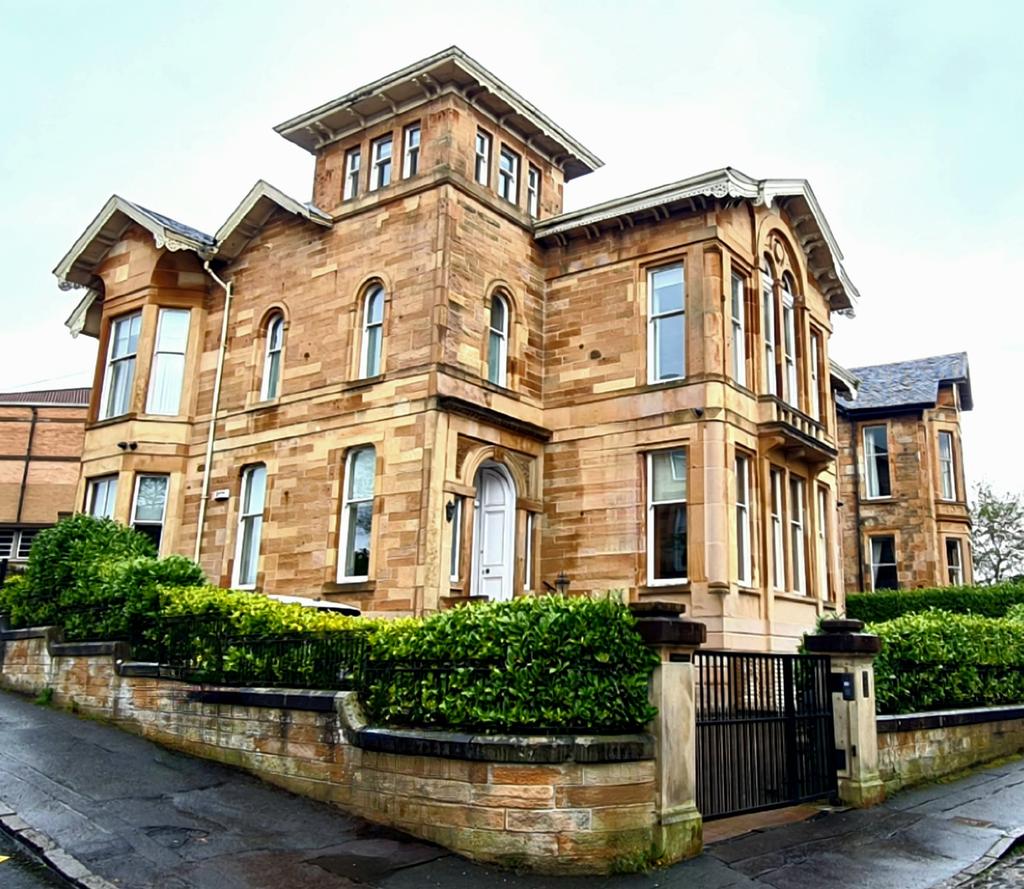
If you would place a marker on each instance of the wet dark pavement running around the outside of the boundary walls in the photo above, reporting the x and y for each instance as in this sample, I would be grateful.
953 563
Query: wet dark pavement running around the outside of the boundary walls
144 818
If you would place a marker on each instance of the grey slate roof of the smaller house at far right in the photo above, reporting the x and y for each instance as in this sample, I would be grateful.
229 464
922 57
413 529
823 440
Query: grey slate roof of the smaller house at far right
910 385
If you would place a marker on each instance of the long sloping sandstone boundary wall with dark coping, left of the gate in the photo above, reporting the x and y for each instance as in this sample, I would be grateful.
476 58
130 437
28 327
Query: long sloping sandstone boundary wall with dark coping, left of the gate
576 813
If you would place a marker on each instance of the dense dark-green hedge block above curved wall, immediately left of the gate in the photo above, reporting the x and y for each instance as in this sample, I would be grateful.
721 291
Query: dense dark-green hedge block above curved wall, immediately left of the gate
544 663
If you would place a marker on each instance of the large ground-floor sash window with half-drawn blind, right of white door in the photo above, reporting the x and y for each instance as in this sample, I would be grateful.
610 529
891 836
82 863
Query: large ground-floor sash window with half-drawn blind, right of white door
667 558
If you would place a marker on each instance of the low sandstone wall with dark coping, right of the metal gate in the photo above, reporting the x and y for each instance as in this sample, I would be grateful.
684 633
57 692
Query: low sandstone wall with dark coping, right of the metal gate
923 747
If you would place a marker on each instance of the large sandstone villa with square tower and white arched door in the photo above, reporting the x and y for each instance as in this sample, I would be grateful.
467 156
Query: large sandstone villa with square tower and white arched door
430 384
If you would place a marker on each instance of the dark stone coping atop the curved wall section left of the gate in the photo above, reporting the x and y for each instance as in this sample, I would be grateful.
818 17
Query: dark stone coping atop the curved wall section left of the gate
508 748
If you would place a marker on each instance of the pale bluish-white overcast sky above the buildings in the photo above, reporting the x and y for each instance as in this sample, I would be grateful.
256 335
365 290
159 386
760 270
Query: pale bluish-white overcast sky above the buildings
907 118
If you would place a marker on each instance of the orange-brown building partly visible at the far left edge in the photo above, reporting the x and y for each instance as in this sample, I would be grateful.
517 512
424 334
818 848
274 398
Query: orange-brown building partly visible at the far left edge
41 437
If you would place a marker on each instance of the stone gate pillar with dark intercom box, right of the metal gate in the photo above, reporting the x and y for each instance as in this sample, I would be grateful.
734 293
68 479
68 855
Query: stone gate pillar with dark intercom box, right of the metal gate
852 655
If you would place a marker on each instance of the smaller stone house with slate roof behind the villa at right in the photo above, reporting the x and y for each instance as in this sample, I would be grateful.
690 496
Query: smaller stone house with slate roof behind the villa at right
905 512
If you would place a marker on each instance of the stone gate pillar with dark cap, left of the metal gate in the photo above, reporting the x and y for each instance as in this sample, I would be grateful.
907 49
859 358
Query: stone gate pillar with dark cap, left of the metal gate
679 830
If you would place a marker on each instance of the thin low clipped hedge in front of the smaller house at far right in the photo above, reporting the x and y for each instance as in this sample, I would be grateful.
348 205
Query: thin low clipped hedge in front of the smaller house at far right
885 606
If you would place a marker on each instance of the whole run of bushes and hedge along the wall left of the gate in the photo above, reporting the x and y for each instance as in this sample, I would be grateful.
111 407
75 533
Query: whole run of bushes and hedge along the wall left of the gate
537 663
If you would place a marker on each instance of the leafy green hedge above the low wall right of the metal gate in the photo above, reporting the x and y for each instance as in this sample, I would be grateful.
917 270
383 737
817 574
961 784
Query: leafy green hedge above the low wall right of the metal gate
938 660
